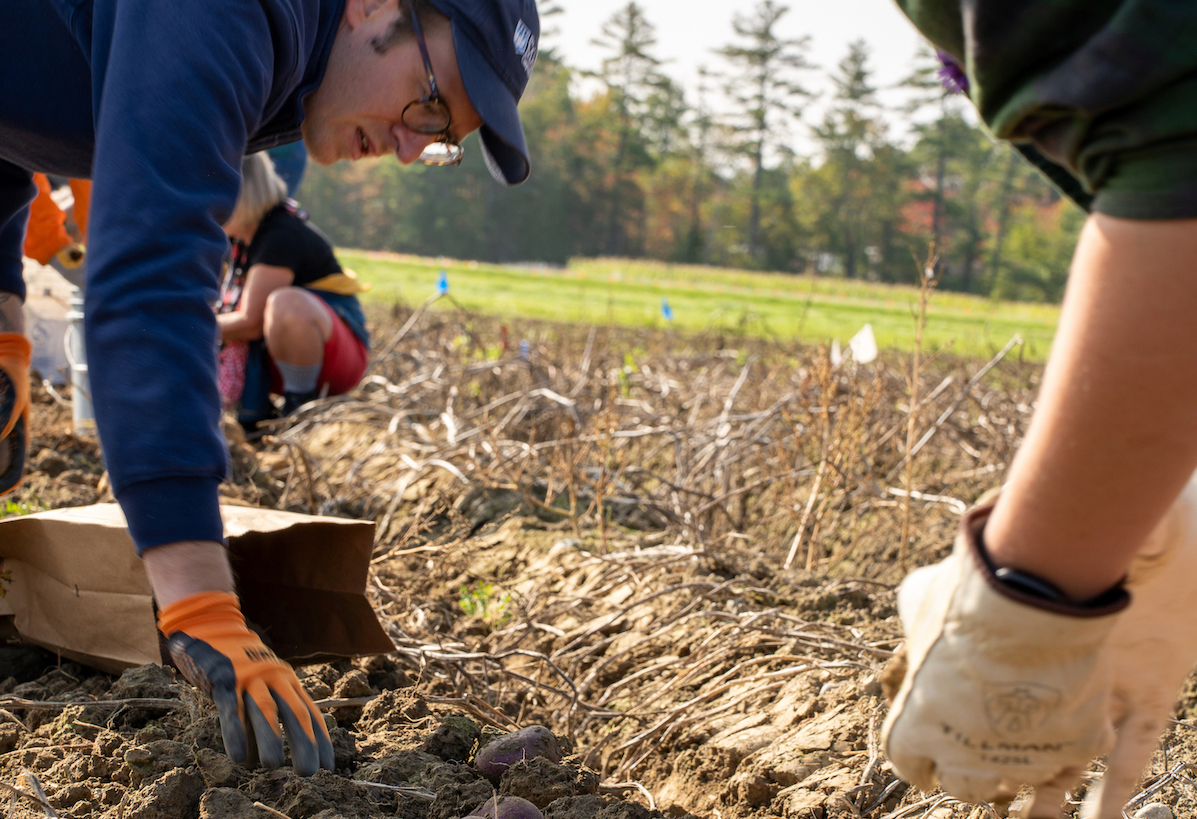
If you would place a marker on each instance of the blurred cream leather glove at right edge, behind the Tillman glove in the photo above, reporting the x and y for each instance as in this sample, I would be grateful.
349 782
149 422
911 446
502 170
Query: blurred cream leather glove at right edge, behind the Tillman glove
1153 648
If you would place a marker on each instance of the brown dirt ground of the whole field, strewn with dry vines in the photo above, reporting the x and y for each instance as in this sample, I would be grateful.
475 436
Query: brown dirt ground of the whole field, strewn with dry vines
677 554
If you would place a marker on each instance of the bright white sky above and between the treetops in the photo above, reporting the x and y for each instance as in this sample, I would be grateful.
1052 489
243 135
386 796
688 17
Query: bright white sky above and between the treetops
689 31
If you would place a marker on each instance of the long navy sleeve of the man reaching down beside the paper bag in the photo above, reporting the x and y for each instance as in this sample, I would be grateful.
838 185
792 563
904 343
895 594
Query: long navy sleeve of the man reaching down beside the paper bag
178 88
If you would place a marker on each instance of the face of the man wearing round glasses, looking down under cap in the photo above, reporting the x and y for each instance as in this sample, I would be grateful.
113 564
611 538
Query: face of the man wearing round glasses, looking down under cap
356 111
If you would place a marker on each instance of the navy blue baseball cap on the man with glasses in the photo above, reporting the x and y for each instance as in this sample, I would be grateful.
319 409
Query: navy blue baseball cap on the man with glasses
496 44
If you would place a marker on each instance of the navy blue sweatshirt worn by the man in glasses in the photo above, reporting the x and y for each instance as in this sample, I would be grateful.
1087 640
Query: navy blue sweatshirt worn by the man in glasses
157 104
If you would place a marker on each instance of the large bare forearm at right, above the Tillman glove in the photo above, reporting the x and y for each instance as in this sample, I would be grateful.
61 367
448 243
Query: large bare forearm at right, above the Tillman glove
1115 436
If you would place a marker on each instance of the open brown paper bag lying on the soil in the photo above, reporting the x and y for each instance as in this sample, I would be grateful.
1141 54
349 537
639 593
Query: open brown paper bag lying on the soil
72 584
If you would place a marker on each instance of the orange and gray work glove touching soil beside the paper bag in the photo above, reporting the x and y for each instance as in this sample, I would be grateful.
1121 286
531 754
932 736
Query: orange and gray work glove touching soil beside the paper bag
253 689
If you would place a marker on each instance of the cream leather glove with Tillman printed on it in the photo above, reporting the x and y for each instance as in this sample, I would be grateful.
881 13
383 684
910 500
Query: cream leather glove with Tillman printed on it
1004 687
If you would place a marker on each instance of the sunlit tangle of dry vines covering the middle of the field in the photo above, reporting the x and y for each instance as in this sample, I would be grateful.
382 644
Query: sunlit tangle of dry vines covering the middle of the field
596 530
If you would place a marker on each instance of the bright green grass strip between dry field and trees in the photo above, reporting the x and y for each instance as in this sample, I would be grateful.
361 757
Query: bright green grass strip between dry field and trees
630 293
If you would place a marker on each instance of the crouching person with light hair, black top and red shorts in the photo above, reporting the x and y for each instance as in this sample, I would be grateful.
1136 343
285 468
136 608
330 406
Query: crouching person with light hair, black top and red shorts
290 320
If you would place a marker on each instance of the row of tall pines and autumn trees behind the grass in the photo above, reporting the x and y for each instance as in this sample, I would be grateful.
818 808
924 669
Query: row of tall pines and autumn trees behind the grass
645 169
